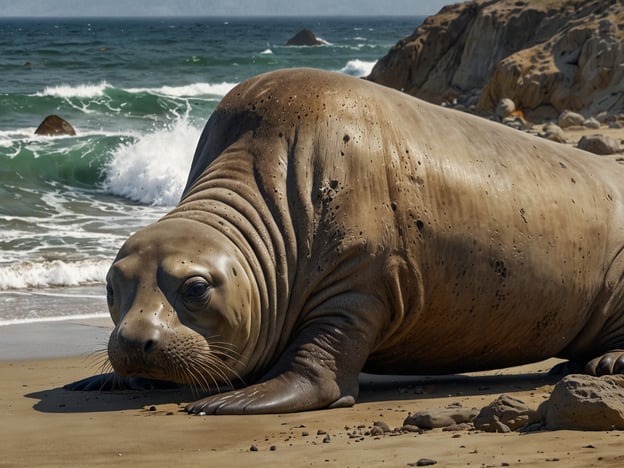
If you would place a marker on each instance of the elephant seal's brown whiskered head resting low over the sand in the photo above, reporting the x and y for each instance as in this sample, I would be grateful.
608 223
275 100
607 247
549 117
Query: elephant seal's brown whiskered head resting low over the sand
182 304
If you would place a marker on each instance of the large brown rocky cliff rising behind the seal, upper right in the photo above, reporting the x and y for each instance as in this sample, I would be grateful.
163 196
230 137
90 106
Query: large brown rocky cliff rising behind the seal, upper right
545 55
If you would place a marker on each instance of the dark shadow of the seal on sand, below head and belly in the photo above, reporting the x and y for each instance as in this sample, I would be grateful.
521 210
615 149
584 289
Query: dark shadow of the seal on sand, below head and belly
373 389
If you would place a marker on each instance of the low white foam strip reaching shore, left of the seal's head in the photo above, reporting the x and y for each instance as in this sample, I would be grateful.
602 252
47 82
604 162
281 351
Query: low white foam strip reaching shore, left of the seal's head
53 273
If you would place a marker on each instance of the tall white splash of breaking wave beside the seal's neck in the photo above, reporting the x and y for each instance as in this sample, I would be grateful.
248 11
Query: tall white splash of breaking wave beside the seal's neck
152 169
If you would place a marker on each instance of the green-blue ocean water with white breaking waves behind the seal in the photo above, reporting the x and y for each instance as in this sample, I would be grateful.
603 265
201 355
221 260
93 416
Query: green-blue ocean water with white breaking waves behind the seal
138 92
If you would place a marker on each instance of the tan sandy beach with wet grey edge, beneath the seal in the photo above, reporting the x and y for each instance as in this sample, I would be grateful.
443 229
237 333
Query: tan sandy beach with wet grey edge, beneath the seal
44 425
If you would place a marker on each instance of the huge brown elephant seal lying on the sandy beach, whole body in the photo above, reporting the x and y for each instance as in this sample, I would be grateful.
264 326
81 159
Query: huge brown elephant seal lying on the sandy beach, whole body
331 225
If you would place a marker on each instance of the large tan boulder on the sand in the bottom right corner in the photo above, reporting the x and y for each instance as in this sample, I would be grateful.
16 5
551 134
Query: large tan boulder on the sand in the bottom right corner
585 403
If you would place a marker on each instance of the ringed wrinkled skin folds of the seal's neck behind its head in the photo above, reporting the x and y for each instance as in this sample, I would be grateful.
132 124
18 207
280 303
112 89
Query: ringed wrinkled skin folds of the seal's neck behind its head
225 196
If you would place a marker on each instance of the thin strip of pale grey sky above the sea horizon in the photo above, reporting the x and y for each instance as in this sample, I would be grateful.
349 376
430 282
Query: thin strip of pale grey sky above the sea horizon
92 8
